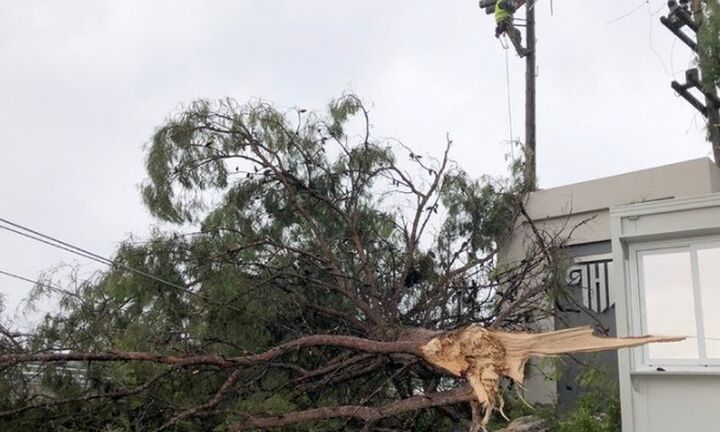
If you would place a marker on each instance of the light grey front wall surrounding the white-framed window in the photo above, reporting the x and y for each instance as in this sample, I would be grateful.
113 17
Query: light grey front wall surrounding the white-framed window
682 398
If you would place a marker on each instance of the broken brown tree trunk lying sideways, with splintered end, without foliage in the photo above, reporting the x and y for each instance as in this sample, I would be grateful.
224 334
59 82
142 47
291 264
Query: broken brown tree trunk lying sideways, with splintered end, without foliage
480 355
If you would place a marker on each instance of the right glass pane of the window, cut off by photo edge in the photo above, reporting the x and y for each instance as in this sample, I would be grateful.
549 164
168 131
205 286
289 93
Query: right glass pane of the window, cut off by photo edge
709 275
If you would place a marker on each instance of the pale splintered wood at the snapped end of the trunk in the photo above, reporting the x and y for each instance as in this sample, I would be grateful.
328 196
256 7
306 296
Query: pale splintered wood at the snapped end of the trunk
483 356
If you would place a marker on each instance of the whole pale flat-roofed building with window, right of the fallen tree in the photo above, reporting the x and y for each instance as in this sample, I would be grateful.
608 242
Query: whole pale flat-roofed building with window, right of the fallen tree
647 261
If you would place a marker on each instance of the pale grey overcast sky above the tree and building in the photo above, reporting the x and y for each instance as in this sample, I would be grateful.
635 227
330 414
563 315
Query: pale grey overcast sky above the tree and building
84 83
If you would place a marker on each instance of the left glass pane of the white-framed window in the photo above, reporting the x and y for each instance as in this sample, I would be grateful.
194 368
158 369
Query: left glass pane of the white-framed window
669 303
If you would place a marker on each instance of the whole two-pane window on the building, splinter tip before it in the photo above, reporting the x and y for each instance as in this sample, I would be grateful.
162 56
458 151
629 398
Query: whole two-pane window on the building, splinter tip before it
679 294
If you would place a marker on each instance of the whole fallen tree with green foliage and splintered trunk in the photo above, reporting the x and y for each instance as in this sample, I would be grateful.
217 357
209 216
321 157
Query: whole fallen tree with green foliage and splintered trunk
327 284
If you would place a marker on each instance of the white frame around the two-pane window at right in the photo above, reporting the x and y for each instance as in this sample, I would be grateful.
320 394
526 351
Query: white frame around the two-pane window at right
638 316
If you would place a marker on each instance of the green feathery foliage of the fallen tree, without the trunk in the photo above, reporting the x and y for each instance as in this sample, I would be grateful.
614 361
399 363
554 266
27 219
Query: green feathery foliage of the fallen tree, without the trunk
263 213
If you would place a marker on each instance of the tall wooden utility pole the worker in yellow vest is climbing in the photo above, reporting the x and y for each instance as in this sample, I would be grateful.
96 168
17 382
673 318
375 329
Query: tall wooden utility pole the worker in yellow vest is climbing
530 131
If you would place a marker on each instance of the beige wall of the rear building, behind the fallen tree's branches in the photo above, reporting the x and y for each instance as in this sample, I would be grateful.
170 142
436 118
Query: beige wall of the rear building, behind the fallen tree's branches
588 203
